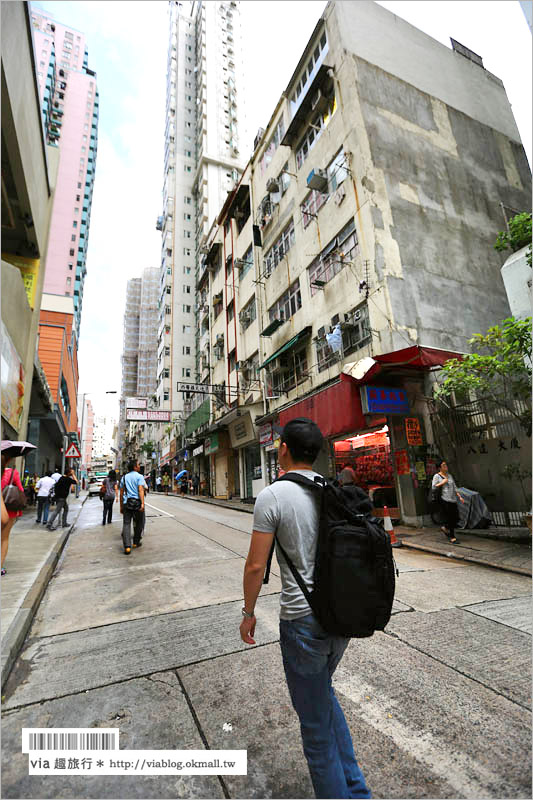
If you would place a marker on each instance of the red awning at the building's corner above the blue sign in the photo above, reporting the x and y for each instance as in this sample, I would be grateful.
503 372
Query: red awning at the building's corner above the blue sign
415 358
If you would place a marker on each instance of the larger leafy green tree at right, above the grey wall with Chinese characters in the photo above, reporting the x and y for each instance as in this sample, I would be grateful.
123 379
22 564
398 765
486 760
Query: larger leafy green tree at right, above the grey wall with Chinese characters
500 370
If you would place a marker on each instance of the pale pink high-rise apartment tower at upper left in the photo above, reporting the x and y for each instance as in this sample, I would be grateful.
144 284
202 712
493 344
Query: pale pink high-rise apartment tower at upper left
69 100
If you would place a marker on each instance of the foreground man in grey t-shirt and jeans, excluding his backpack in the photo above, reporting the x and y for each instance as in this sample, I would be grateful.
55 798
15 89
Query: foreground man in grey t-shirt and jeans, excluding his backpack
310 654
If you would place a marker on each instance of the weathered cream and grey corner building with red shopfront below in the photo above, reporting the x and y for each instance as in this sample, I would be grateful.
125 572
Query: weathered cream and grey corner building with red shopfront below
362 228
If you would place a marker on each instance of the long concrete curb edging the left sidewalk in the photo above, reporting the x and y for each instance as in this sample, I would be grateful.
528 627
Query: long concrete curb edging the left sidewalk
15 635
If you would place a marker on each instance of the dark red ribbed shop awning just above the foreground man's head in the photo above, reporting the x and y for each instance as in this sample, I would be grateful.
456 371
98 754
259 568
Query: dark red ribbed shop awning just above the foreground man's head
335 410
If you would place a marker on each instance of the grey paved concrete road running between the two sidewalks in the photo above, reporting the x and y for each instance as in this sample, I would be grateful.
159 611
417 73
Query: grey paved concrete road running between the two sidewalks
439 705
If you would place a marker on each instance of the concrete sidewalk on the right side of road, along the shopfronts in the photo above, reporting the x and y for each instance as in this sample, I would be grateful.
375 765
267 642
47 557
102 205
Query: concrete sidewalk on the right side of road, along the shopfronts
493 547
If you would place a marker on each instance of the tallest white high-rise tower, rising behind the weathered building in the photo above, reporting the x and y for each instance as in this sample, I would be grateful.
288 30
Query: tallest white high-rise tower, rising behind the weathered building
203 162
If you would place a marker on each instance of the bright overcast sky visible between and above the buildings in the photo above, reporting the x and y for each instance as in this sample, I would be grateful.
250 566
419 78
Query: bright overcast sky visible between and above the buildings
127 43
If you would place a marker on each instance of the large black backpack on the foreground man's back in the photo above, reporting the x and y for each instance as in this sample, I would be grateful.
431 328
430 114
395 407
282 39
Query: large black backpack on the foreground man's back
354 576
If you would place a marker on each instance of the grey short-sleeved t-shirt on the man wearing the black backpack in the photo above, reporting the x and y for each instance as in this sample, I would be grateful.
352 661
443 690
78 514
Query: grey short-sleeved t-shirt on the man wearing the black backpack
291 512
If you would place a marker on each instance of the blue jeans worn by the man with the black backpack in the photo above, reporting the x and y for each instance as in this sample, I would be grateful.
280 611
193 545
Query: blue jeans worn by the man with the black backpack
310 657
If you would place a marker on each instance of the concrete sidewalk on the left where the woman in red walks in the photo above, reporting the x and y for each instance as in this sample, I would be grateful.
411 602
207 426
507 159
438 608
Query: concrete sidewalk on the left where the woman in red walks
31 559
